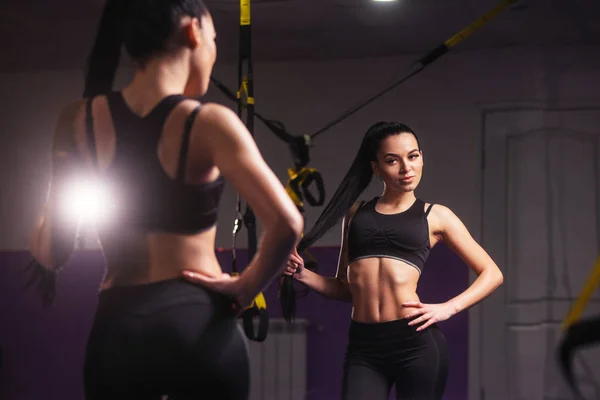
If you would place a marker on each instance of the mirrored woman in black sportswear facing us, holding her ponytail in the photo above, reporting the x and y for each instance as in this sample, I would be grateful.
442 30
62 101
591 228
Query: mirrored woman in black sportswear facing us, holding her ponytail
393 337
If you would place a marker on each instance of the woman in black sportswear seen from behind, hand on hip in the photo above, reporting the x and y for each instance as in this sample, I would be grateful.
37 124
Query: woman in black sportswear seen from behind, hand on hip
162 157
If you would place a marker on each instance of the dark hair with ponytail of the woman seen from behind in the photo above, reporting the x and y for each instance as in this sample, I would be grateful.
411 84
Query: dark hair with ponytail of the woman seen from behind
145 28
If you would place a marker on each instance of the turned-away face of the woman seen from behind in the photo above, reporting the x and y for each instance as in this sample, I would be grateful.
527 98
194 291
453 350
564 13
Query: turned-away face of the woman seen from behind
203 56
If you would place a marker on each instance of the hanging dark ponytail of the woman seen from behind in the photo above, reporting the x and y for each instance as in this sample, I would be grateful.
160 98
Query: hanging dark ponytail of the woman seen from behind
106 52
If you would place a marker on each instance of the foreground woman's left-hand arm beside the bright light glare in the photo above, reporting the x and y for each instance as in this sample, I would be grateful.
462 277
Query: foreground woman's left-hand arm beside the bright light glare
53 237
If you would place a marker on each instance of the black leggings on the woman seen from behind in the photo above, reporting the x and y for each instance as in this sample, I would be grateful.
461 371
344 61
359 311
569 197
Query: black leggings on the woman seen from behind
169 338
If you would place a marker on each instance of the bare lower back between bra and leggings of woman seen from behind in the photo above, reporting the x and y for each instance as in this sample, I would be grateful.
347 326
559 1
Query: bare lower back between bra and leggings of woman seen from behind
139 258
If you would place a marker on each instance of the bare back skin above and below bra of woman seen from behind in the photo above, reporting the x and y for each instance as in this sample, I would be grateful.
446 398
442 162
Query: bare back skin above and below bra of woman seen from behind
137 258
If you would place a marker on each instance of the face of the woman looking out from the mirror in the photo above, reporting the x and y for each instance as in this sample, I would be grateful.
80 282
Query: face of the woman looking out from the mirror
399 162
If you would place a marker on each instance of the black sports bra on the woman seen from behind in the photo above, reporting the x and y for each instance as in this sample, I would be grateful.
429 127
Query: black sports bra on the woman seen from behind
144 196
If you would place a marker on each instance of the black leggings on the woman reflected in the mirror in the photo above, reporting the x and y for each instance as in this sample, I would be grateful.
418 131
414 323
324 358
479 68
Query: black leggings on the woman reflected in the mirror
382 354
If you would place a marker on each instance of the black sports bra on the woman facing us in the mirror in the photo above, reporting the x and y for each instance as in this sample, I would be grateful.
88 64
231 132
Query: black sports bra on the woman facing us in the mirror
403 236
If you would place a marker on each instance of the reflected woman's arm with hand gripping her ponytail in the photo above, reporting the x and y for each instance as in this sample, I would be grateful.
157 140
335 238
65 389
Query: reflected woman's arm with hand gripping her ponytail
335 288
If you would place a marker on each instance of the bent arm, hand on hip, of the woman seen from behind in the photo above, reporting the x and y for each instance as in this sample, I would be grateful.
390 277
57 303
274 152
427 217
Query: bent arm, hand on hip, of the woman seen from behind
235 153
